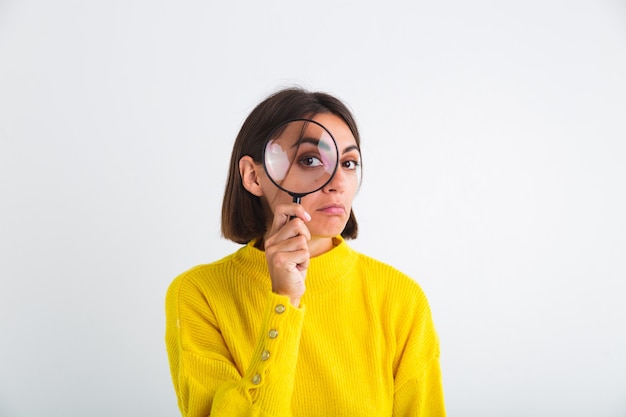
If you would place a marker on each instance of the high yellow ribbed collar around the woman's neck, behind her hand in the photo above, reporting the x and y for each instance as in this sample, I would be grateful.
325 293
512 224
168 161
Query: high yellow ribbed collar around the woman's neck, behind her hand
326 270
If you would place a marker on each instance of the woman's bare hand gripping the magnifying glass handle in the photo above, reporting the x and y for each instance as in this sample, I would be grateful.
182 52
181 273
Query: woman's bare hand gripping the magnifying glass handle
287 251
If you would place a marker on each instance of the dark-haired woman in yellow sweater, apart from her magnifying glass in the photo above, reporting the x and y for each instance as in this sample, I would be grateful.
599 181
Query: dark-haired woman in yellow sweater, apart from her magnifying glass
296 323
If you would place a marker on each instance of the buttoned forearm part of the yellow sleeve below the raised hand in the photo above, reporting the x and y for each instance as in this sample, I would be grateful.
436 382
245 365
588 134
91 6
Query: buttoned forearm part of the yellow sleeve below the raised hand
270 377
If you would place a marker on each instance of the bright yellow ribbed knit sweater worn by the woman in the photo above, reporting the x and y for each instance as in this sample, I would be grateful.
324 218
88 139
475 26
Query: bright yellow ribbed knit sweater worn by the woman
362 342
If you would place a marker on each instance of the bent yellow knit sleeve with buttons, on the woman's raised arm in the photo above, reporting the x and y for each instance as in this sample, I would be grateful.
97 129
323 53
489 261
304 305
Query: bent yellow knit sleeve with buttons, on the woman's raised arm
206 379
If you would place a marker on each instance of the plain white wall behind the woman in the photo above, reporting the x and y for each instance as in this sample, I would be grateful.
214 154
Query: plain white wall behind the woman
494 144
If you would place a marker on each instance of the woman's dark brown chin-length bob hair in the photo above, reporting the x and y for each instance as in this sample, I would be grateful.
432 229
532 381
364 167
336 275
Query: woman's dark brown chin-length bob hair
243 216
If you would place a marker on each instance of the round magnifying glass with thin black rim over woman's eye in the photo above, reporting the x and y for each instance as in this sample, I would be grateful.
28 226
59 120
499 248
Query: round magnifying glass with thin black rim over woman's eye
300 157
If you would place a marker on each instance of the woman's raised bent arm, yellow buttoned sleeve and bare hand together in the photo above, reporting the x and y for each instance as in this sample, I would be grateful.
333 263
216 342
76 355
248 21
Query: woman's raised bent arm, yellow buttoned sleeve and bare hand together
206 377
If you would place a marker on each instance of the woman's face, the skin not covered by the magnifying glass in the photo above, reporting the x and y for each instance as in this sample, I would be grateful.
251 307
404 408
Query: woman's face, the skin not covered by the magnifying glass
329 207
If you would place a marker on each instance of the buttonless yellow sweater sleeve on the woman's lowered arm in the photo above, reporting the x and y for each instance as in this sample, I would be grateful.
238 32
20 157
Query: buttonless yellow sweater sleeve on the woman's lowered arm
418 384
